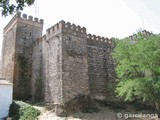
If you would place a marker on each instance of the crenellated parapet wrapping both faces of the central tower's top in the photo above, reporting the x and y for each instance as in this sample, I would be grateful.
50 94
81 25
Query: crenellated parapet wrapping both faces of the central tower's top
65 28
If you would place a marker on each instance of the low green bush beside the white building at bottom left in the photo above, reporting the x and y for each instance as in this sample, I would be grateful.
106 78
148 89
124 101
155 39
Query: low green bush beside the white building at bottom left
23 111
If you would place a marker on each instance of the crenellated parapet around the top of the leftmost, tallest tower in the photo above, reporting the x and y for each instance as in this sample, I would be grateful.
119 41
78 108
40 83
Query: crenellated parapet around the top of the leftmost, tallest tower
24 19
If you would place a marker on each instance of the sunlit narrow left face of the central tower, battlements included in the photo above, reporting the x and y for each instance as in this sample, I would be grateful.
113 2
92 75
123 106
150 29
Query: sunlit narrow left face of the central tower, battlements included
52 60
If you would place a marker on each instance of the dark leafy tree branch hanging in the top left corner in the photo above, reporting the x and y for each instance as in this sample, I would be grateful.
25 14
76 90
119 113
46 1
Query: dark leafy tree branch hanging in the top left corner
11 6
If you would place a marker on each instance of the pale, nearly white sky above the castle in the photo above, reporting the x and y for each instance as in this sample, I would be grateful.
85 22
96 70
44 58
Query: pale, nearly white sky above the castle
108 18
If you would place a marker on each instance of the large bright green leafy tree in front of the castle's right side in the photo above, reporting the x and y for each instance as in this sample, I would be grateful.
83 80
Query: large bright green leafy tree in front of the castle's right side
138 68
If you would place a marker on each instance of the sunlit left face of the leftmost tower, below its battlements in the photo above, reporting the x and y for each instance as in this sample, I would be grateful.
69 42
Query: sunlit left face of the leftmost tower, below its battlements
8 53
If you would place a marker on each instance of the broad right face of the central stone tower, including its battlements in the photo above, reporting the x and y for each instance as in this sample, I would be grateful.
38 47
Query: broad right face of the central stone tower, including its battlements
74 62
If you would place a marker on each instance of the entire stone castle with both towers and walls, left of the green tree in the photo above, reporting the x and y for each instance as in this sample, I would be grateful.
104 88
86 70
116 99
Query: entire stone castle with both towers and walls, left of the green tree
58 66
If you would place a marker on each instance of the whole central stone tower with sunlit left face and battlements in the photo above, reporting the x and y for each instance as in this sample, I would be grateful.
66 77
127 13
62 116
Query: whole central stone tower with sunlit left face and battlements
66 66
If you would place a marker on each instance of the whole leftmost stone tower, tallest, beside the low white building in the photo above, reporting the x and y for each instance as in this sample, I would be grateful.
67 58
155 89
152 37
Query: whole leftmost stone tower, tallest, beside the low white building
19 35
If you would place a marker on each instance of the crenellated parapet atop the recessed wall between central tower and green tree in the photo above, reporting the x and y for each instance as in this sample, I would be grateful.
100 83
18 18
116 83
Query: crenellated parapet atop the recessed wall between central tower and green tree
98 41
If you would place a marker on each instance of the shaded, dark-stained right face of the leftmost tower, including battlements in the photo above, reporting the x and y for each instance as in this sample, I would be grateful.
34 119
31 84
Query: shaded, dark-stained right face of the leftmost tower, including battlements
27 33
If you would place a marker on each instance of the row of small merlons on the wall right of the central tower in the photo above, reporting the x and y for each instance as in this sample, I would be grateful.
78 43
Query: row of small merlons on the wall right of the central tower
97 39
